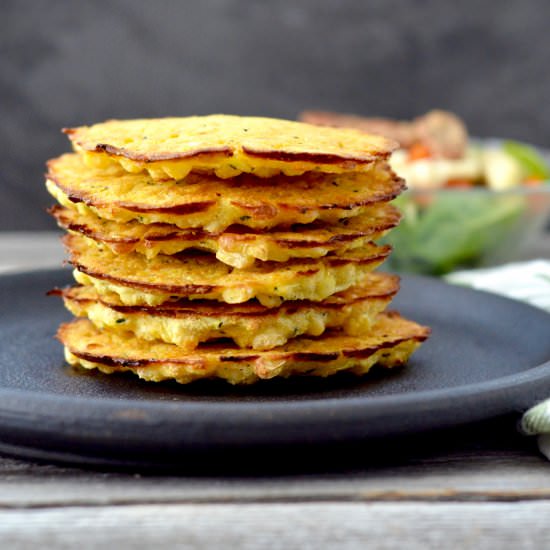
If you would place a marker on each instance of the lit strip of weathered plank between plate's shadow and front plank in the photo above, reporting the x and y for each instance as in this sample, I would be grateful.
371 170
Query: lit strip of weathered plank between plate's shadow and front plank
497 480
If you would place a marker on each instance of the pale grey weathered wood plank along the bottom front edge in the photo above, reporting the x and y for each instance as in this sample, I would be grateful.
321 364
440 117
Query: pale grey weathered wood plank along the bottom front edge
299 525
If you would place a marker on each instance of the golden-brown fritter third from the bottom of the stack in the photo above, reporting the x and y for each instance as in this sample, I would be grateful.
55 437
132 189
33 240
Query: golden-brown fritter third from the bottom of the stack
137 280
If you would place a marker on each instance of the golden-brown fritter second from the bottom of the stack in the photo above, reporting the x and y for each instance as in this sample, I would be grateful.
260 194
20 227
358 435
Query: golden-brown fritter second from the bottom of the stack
249 325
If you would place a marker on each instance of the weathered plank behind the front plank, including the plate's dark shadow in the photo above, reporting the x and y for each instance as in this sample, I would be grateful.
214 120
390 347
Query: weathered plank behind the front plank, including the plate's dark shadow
488 462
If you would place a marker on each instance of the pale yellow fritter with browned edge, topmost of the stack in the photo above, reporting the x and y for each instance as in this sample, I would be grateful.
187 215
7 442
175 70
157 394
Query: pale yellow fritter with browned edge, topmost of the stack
226 145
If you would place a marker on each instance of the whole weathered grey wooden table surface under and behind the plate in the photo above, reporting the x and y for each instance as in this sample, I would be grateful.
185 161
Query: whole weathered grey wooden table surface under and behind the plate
480 486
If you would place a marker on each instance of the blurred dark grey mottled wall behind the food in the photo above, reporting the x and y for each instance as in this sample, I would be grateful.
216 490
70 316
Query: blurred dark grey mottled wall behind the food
70 63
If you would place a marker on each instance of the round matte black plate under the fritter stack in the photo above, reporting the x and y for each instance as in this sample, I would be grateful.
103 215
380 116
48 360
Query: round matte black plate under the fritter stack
487 356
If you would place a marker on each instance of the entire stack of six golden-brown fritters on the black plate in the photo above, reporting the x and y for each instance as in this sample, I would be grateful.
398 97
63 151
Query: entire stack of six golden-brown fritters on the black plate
233 247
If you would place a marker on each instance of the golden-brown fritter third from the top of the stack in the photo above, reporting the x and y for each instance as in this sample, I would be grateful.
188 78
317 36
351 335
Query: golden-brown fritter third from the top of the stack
238 245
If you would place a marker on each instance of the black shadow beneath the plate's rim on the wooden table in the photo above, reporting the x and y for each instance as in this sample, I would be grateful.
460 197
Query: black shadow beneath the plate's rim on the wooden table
488 441
